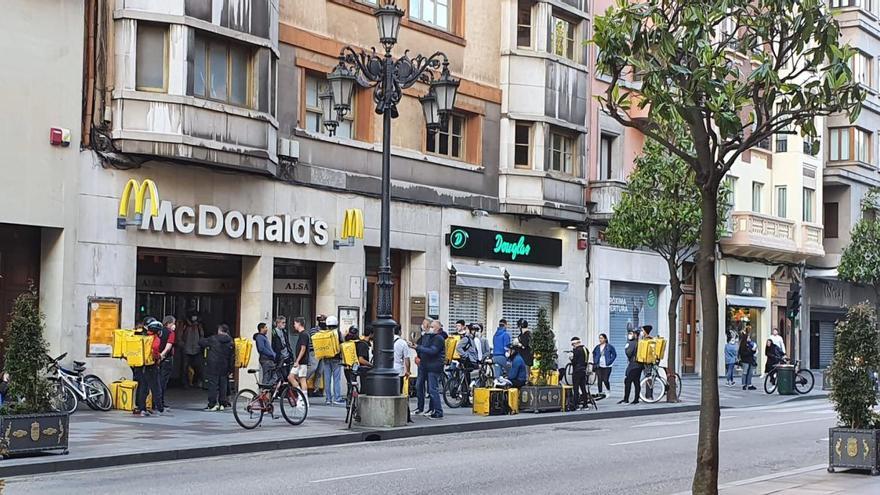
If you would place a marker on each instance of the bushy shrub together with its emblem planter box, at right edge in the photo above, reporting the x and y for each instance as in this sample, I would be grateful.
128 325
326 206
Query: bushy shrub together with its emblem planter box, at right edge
856 357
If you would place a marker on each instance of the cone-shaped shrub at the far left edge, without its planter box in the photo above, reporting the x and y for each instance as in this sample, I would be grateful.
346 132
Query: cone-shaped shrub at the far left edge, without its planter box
26 358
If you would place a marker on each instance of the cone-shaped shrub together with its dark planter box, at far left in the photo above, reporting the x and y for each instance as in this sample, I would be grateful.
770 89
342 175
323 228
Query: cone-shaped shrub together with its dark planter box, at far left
27 421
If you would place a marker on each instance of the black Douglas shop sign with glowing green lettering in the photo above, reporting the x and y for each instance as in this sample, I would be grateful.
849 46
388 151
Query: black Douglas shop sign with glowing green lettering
504 246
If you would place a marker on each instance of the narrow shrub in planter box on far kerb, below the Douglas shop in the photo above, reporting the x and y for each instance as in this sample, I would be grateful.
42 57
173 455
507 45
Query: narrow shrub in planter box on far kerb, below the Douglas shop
544 394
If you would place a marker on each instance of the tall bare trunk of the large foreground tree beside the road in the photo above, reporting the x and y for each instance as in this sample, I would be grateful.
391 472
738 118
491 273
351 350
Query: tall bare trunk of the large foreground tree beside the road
706 475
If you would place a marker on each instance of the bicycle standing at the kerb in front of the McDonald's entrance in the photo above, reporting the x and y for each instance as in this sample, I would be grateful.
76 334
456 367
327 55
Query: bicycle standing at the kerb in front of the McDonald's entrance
249 407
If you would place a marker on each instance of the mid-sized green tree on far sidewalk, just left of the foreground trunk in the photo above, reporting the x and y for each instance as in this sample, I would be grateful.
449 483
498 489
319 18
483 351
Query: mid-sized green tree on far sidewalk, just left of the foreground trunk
660 211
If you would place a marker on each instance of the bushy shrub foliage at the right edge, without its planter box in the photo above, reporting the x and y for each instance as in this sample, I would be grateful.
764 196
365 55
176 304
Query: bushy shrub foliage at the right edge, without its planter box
856 356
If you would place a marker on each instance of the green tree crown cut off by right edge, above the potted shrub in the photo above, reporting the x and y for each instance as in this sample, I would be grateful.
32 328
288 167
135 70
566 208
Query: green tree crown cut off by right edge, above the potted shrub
860 261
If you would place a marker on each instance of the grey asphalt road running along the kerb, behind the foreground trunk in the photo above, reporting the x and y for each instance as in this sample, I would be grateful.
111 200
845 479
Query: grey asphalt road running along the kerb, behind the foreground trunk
642 455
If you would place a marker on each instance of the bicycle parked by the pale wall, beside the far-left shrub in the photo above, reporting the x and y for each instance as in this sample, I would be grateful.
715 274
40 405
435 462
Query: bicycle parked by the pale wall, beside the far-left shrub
71 387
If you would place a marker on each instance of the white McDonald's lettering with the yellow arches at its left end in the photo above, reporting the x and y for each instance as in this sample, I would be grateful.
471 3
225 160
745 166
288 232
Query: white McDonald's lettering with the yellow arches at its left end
210 221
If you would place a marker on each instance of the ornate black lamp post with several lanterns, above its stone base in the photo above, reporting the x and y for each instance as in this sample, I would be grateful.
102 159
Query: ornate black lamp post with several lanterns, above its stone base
389 77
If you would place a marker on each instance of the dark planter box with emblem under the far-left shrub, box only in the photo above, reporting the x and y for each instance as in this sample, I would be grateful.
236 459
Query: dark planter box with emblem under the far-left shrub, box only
34 433
